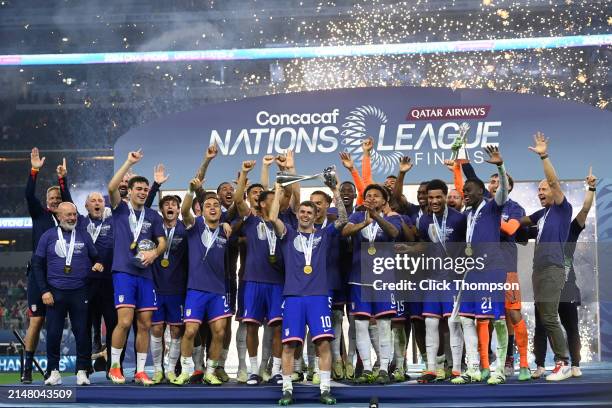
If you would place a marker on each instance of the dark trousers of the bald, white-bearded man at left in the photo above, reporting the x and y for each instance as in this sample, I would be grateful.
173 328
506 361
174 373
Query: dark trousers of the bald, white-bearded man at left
72 303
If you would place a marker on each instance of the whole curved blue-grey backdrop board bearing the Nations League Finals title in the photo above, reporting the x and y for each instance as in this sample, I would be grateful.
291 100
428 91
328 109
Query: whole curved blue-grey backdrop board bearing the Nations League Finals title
419 122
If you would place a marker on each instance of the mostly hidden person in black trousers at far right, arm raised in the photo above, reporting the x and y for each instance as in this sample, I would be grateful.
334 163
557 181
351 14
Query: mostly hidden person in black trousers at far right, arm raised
570 295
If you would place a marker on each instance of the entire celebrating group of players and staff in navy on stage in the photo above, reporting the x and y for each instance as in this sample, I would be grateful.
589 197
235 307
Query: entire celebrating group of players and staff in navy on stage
259 254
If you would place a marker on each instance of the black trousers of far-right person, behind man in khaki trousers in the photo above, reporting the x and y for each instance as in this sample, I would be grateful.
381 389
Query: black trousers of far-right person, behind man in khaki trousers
568 314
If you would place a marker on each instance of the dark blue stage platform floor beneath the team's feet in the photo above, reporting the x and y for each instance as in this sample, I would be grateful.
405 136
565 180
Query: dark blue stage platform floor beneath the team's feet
593 388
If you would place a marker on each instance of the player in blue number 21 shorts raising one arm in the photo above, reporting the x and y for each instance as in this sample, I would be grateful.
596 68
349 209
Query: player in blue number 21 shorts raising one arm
483 238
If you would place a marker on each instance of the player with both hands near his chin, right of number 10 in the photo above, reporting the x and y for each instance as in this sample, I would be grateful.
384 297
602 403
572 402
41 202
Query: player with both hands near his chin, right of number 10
371 226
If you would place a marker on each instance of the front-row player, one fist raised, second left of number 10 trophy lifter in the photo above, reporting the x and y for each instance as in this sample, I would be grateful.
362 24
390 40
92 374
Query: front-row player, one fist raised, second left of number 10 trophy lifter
206 292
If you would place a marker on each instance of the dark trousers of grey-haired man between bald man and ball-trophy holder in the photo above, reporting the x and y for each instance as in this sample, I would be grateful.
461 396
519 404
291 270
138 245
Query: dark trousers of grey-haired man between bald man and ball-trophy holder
102 304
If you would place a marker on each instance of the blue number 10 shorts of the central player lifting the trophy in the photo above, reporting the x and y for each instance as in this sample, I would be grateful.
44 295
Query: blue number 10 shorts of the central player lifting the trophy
311 311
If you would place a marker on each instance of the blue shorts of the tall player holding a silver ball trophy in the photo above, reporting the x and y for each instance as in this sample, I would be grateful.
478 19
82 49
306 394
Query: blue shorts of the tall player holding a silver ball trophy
134 291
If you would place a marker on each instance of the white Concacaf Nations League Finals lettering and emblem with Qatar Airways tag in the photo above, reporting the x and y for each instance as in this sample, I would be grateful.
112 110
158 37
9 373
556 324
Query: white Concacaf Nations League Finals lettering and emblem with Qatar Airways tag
425 134
